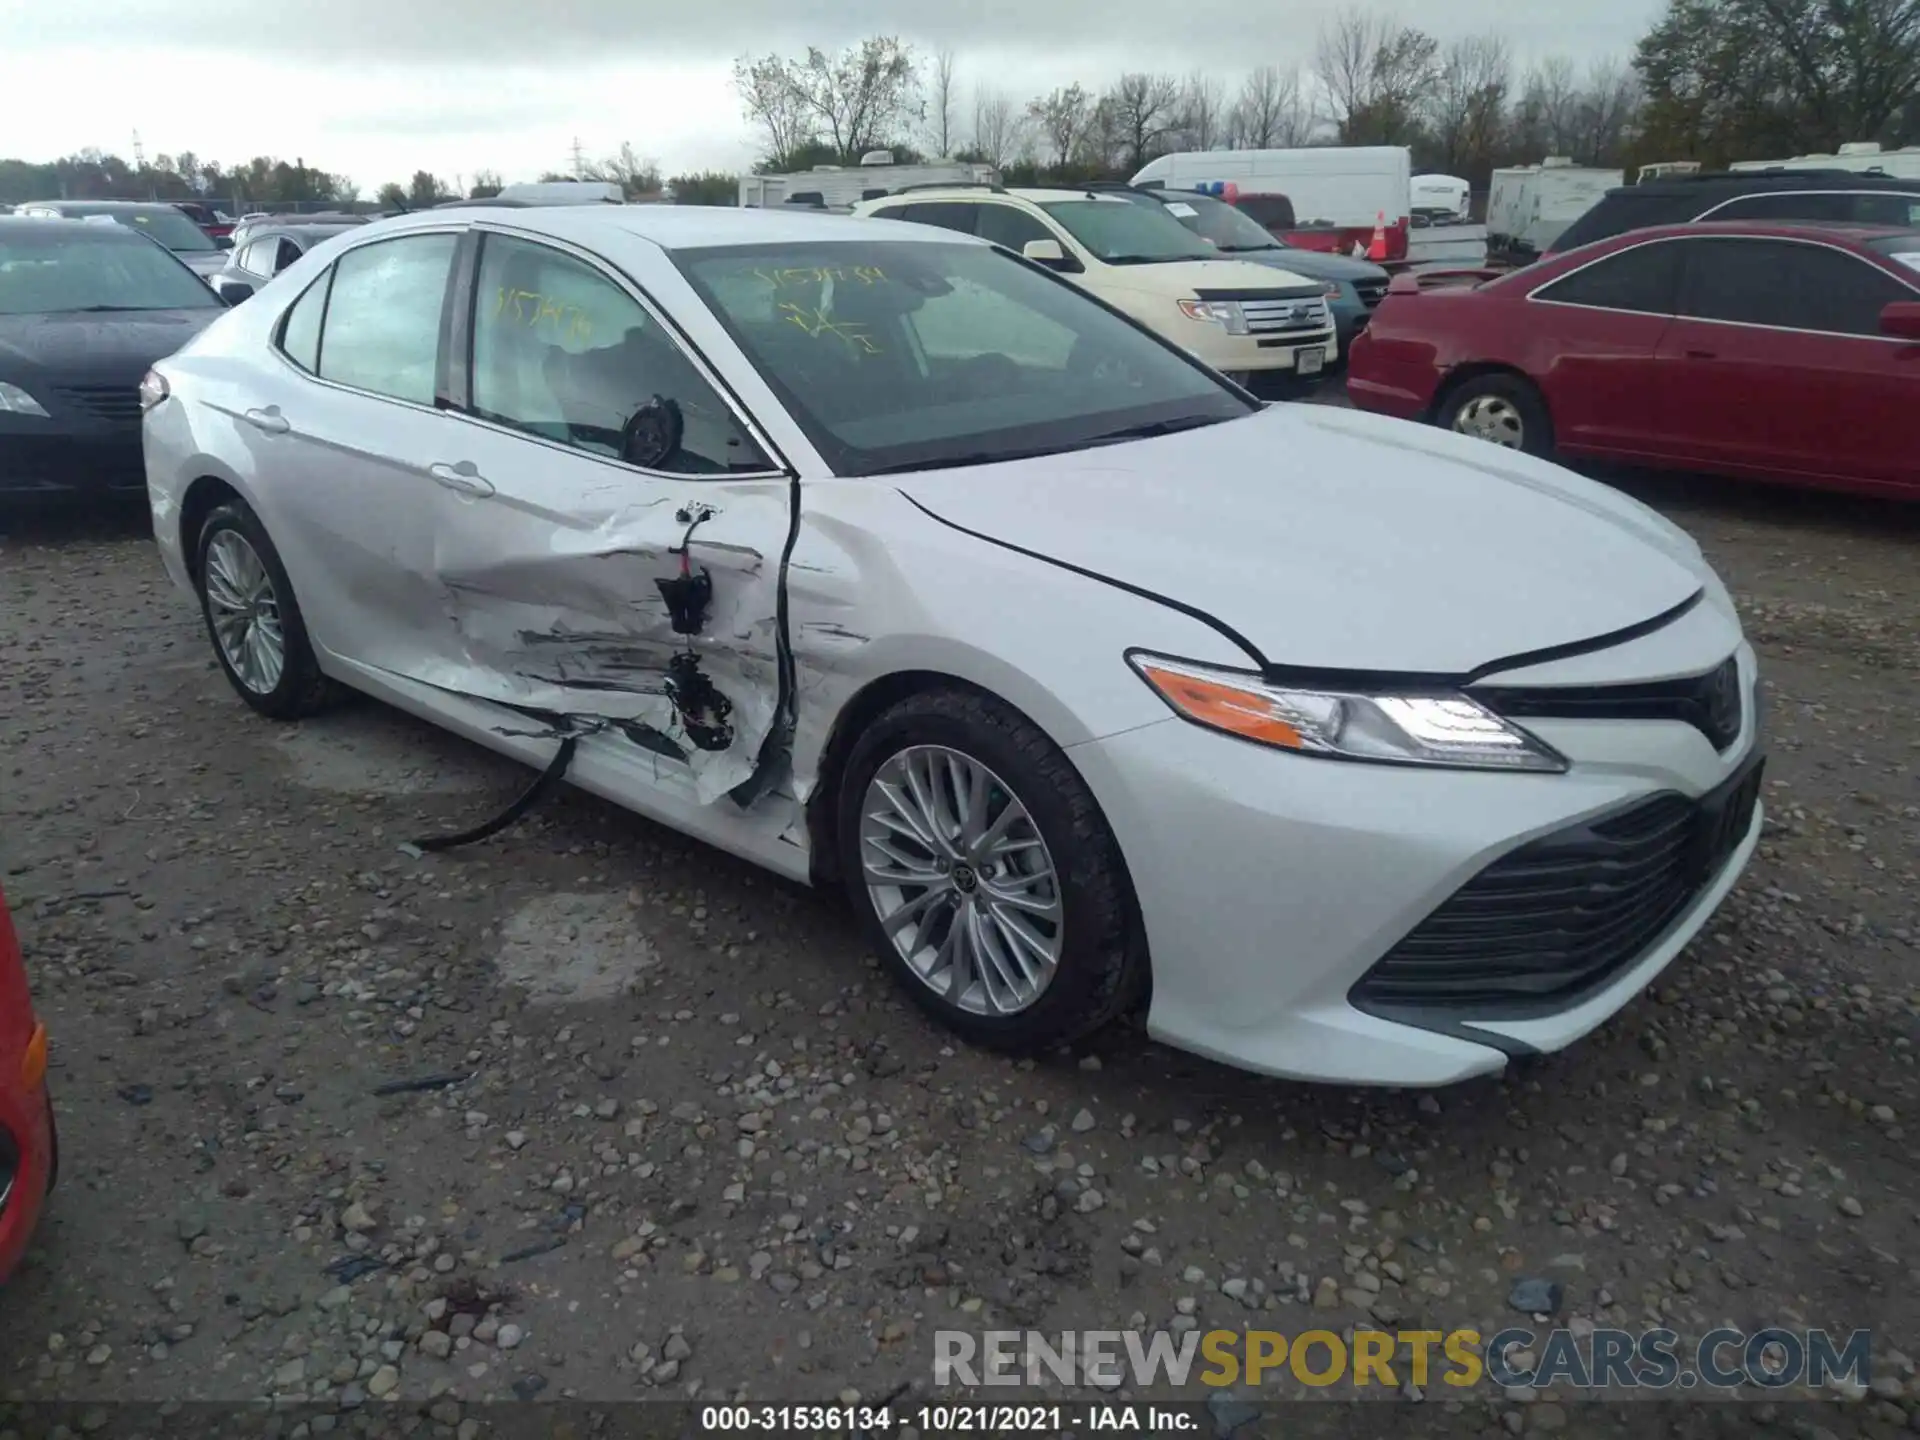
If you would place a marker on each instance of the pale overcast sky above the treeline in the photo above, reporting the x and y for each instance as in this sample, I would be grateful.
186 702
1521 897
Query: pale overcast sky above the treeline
377 89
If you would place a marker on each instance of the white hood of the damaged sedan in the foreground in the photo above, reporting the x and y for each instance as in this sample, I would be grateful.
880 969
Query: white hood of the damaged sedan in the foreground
1341 540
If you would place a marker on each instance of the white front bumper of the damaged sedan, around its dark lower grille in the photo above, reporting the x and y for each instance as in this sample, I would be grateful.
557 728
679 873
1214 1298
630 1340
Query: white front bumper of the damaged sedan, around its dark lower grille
1274 884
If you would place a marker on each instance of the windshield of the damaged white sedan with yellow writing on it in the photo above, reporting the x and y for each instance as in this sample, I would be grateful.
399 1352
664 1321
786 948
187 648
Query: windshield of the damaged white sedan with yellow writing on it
901 356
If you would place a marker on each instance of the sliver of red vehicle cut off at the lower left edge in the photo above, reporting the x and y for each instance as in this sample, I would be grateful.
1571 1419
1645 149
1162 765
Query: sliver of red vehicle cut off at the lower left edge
28 1145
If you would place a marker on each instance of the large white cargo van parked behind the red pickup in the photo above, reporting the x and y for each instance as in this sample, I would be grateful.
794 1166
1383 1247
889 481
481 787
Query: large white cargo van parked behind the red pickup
1324 199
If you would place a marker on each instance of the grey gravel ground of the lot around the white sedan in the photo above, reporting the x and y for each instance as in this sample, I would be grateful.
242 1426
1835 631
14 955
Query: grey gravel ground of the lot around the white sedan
663 1130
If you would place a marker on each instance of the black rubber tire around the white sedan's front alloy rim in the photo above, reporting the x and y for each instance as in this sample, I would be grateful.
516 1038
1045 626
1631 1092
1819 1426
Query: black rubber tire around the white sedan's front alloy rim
1103 965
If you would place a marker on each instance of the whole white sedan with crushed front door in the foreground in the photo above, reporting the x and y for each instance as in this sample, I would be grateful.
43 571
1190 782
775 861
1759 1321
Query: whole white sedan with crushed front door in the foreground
884 558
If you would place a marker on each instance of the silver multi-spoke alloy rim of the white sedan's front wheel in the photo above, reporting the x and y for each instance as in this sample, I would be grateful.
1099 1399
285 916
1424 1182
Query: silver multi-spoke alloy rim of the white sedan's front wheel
961 880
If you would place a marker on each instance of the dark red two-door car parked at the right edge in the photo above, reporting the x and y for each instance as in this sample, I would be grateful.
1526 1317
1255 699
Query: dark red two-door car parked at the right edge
1771 352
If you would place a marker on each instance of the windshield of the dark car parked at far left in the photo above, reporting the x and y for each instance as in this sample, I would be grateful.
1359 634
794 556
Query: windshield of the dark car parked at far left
80 270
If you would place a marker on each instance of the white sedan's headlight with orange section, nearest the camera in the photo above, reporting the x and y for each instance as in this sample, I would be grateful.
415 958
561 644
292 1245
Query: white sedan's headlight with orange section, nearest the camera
1395 729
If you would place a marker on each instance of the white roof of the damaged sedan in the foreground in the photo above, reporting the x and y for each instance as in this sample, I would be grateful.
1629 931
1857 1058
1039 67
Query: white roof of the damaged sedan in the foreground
681 228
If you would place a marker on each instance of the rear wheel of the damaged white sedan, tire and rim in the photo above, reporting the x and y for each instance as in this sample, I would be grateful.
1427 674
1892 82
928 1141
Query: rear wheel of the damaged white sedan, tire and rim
254 619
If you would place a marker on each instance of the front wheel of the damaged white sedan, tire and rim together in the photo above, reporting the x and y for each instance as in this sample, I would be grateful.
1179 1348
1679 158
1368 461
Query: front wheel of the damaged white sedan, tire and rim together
986 875
